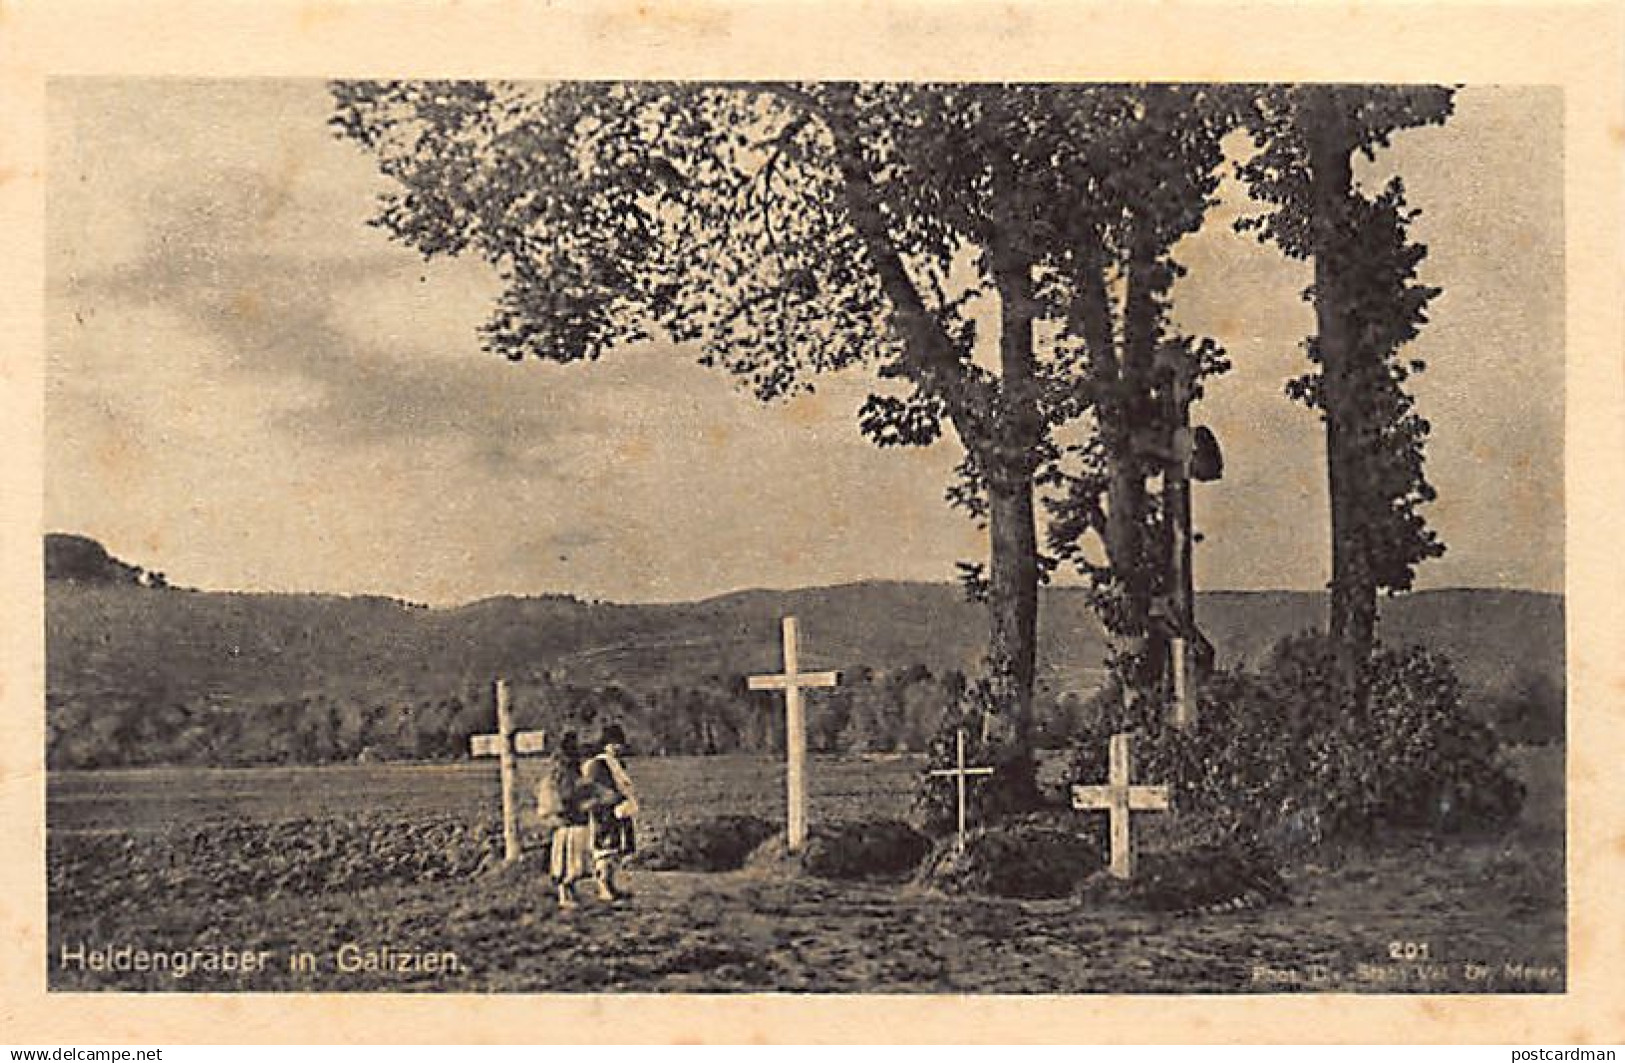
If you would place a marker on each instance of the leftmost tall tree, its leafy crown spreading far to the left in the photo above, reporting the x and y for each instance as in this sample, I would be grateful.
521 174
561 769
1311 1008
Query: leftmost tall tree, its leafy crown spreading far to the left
787 230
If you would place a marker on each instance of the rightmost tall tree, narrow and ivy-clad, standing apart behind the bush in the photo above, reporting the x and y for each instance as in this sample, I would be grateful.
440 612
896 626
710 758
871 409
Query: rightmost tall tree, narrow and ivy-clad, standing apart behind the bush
1367 305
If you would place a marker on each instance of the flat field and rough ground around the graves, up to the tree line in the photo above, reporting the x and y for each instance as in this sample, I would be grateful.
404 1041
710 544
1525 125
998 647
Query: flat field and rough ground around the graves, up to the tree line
379 879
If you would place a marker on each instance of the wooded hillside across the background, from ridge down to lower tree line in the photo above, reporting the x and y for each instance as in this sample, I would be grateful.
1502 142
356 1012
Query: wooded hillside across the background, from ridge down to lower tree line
139 672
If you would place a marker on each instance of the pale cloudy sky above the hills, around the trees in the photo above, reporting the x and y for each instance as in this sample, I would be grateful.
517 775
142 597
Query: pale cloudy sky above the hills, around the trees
249 388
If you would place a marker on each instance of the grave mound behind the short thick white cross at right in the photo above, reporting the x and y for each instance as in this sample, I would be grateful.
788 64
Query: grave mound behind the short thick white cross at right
1200 879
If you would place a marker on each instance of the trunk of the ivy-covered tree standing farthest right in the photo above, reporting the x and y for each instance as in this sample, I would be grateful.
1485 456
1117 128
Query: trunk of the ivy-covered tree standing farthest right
1353 620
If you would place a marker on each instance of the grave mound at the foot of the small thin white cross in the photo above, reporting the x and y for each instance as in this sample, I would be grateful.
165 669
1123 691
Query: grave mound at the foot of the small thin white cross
1015 861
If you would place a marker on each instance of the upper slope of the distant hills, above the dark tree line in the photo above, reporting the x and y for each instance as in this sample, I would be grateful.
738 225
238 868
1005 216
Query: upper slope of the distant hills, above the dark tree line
249 646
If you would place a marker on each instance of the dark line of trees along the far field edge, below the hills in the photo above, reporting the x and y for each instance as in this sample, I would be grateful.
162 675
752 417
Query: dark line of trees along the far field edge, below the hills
872 713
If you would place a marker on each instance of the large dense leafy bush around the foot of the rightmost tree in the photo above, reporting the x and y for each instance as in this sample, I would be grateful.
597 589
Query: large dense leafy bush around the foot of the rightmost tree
1280 757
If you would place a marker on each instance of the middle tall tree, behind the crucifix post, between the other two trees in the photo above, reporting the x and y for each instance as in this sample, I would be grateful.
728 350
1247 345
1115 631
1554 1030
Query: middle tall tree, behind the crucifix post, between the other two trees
1155 163
